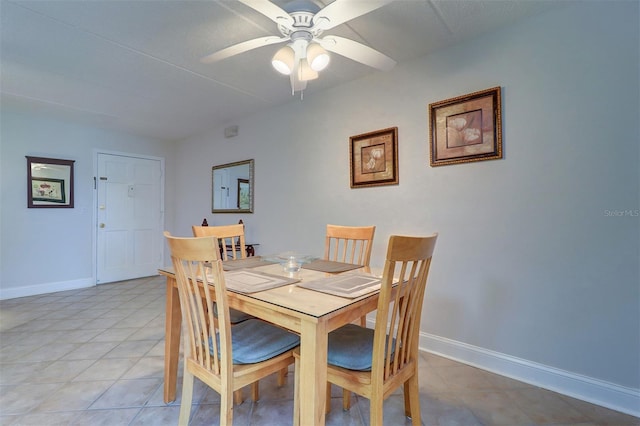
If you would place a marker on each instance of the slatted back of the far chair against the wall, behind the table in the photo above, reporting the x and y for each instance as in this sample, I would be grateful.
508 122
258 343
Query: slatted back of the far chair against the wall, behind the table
349 244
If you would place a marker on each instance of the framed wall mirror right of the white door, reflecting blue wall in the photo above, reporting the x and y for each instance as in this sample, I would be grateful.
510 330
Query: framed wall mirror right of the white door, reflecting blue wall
233 187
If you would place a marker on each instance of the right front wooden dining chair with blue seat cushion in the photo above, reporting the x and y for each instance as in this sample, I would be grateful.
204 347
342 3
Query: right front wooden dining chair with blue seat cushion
375 362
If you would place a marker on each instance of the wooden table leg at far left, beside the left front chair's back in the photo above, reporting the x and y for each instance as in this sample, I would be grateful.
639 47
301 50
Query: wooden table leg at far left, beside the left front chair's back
173 322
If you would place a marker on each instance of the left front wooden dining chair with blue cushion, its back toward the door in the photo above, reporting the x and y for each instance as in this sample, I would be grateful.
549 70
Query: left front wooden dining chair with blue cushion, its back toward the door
225 358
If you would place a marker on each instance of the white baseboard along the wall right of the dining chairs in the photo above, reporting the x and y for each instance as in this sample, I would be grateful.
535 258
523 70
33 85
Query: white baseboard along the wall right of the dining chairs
595 391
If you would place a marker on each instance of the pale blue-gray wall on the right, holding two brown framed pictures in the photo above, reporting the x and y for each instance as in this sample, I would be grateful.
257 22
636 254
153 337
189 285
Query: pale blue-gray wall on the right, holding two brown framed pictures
531 269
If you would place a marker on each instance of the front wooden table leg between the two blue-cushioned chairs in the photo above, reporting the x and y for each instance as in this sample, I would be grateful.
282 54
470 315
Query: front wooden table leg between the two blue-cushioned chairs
313 372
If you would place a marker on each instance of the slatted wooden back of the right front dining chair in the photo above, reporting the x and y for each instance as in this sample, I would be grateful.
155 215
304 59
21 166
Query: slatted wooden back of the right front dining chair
399 308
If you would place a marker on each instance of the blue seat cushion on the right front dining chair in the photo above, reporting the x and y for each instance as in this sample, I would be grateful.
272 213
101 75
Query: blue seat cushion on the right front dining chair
351 347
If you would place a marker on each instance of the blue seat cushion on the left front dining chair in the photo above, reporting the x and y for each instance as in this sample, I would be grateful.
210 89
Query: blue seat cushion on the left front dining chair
254 340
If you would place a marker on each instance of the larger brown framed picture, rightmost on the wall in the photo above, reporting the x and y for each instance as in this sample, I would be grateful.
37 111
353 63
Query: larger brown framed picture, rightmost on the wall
466 128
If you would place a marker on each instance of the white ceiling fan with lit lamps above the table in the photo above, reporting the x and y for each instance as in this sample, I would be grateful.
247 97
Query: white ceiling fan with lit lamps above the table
301 23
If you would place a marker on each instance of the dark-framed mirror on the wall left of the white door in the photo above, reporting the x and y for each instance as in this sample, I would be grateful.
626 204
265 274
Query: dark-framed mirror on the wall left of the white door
49 183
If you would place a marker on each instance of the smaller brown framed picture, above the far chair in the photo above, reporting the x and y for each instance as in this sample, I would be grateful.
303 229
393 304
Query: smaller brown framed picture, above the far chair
374 158
